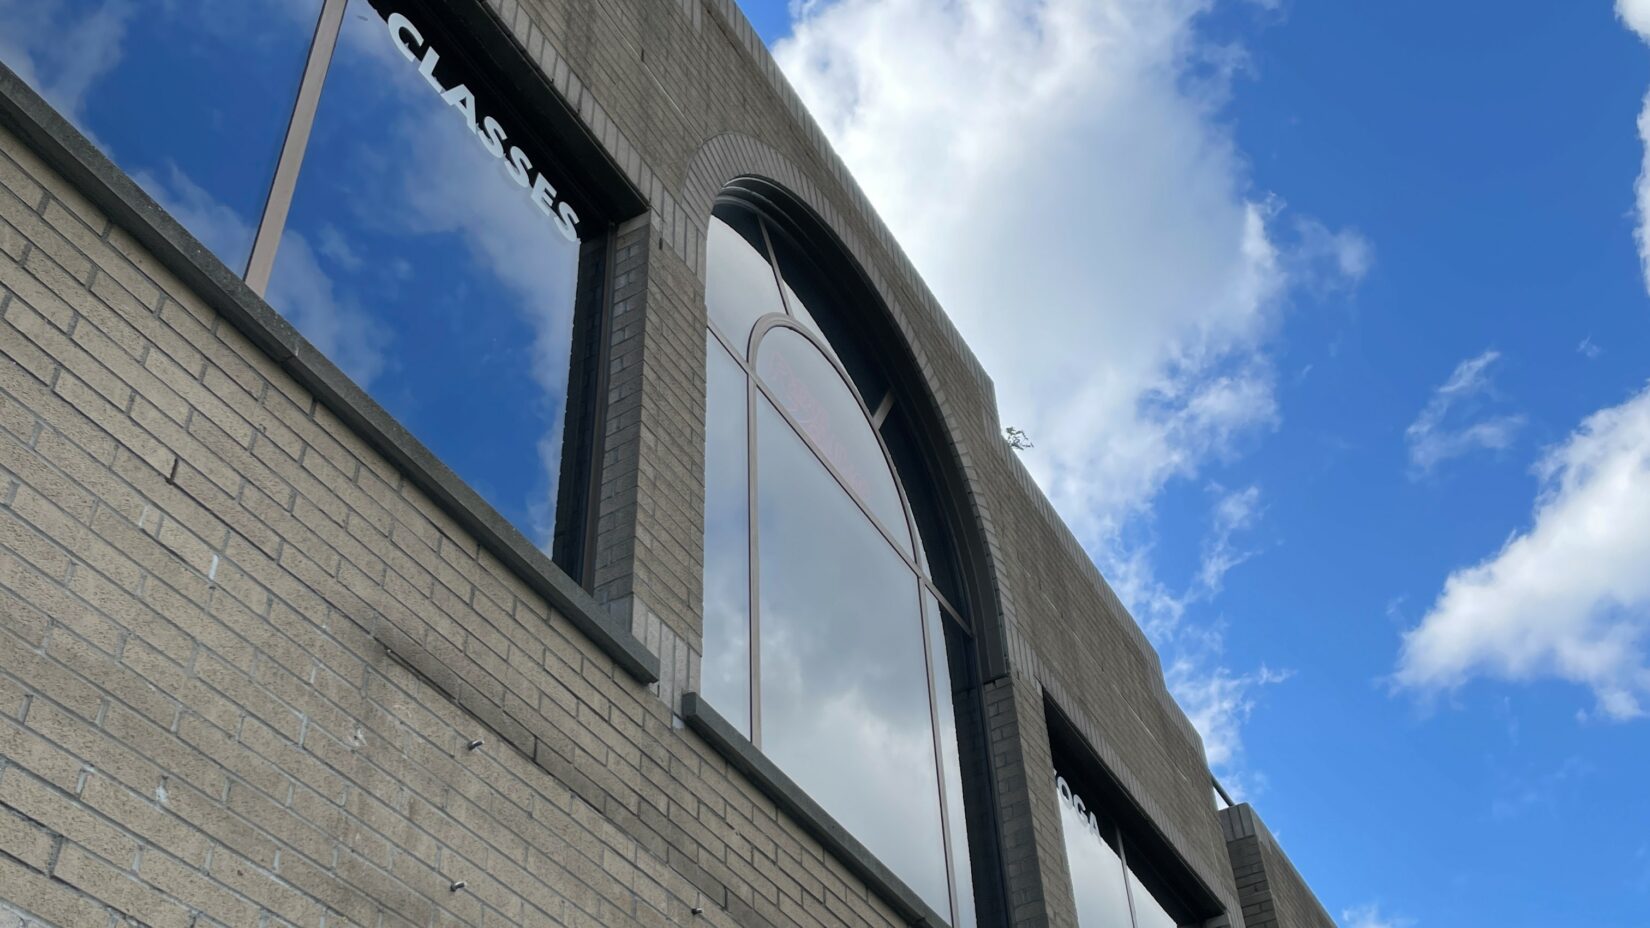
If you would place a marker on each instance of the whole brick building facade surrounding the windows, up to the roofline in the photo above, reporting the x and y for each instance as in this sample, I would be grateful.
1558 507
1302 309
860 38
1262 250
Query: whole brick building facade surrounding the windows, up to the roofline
266 660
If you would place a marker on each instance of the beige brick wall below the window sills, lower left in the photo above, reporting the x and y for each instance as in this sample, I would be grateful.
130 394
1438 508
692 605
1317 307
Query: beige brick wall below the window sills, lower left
200 722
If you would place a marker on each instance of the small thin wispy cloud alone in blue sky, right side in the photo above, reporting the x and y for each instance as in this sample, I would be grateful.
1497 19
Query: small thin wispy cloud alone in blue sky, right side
1453 424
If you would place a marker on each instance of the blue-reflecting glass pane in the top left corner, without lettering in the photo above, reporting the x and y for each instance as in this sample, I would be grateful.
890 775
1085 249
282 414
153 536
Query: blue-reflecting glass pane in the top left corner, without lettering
191 98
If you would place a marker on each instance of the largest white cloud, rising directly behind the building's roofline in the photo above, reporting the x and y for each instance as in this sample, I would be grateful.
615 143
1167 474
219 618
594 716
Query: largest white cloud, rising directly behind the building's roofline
1062 178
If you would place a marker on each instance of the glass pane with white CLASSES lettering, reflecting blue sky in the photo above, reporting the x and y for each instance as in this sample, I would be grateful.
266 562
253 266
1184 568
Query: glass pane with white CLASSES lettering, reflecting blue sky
420 265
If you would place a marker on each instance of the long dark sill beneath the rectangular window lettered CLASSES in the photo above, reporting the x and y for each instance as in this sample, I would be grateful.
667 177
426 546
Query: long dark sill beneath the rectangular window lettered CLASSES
128 206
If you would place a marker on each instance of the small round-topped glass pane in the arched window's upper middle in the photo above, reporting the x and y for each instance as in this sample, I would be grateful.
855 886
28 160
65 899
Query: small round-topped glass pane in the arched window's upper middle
827 410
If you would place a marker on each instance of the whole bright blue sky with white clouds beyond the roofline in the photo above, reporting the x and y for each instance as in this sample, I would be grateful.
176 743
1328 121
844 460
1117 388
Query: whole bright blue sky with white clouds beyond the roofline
1380 262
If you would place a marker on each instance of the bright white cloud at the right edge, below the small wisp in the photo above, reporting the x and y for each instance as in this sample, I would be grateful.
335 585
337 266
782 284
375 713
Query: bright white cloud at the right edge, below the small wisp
1570 597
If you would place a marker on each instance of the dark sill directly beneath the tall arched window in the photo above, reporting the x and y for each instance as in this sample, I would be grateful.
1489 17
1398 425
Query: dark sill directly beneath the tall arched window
796 803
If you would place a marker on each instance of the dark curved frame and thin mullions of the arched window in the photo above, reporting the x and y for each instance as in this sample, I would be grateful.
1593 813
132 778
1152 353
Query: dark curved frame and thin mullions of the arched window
829 267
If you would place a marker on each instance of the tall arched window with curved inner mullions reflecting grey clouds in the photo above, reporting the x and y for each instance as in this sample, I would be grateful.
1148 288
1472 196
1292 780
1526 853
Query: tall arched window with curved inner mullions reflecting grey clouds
834 633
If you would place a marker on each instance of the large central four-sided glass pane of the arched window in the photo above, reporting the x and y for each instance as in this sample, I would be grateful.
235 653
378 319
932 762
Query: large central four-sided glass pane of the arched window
846 698
